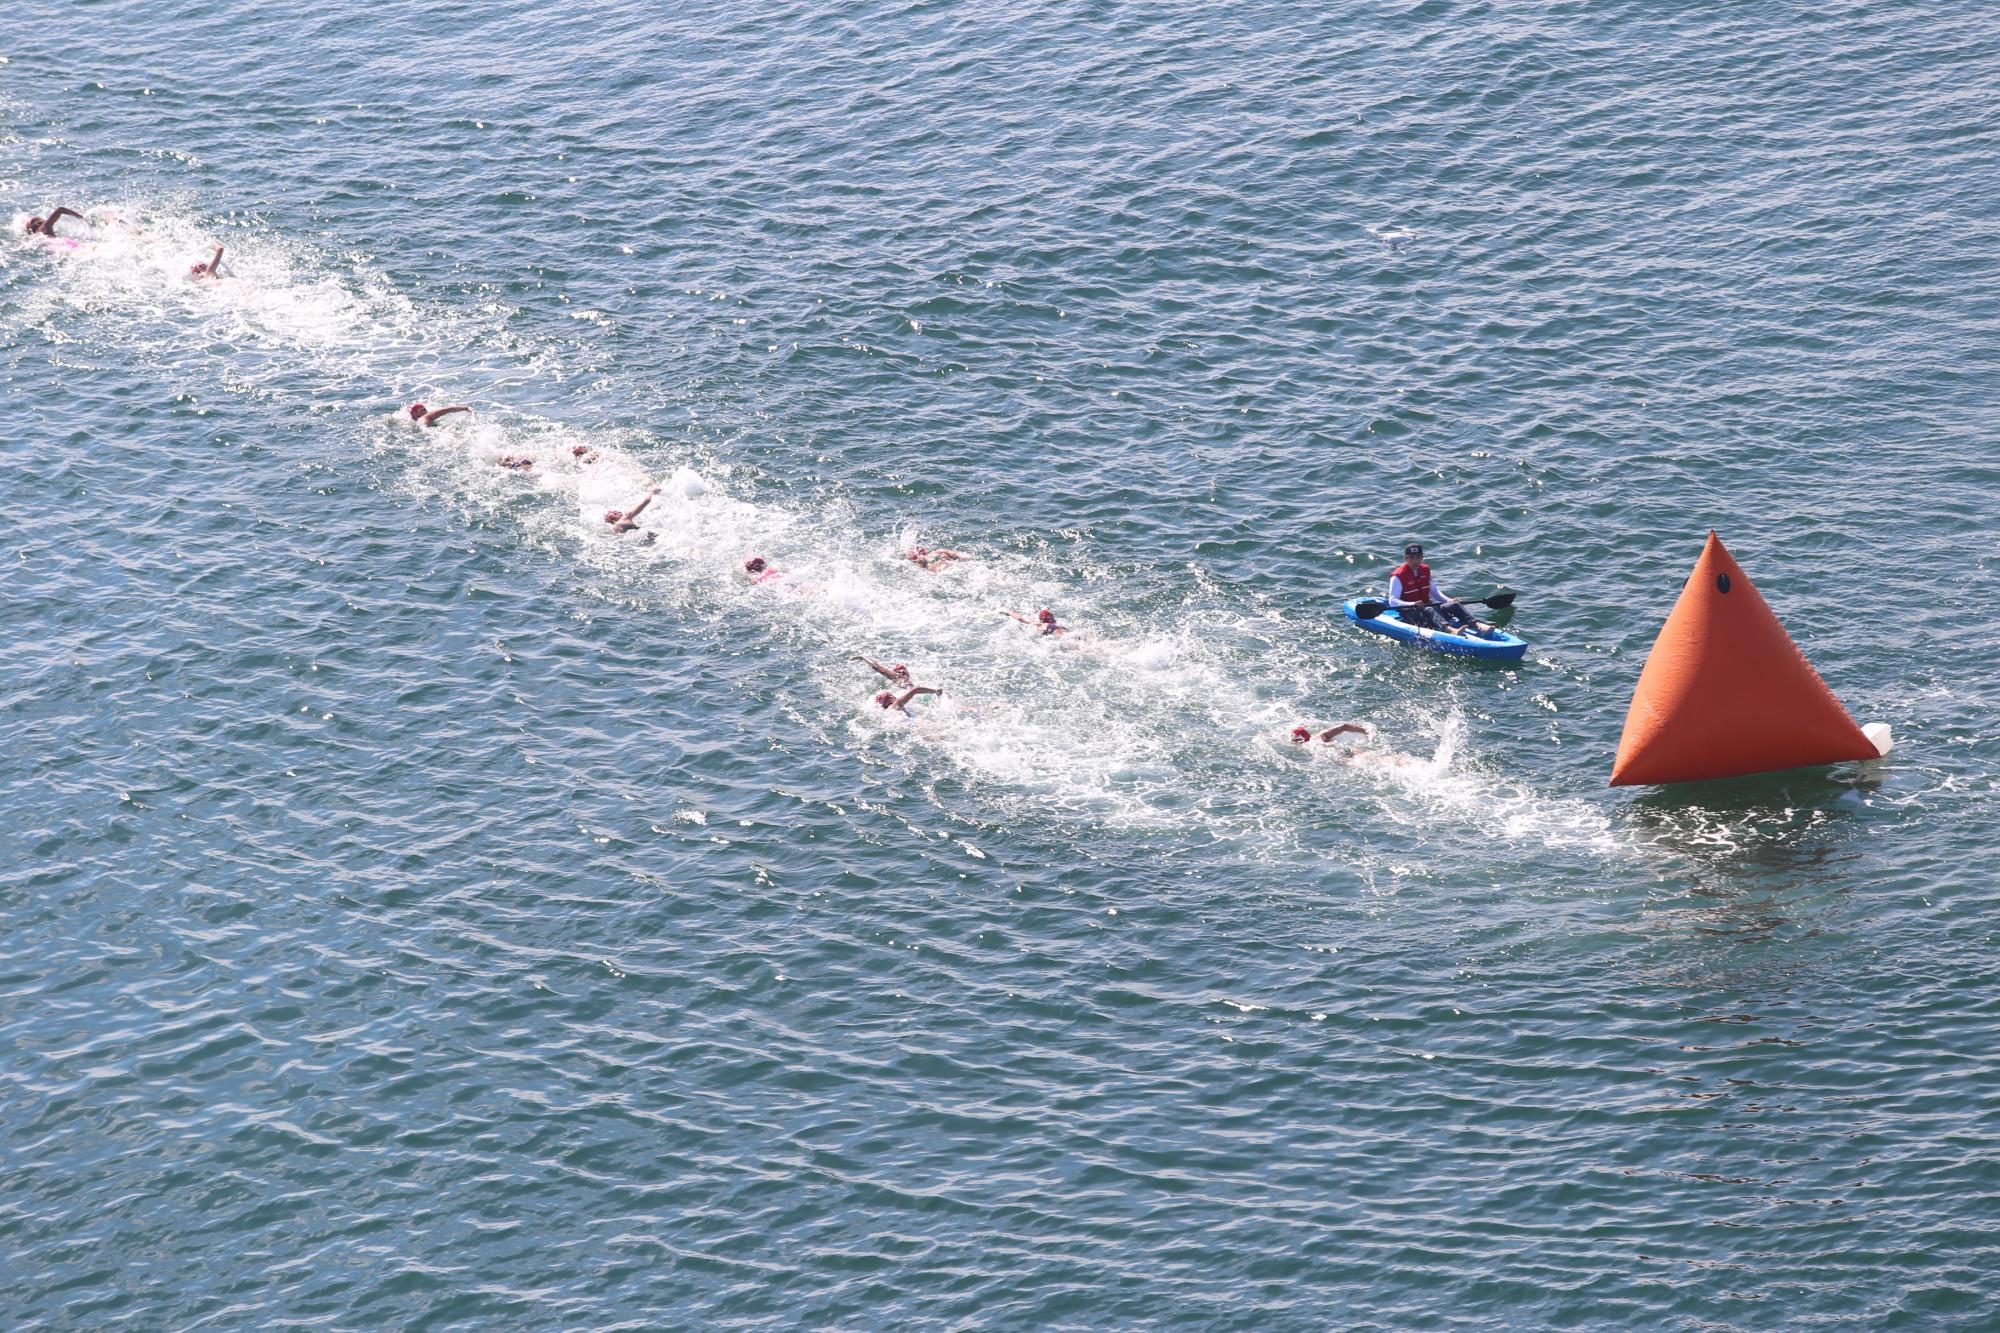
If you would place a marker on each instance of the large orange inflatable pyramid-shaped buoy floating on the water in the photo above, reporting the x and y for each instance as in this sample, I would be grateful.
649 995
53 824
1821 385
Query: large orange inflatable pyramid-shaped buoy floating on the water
1727 692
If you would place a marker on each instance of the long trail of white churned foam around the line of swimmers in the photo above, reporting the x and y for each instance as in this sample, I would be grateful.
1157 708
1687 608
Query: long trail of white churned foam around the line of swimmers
1165 710
